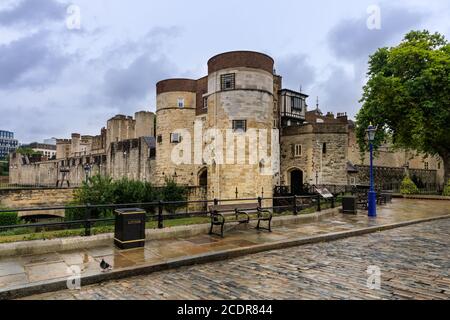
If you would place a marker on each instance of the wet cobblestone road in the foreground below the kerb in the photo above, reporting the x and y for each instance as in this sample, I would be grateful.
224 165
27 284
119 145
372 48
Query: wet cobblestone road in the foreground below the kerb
414 262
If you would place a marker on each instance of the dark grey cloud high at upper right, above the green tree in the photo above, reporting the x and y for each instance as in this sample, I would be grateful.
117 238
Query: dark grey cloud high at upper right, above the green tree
351 39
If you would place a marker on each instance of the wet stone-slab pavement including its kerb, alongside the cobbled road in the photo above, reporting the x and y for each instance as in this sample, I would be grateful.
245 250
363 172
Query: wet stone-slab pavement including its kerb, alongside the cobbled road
29 274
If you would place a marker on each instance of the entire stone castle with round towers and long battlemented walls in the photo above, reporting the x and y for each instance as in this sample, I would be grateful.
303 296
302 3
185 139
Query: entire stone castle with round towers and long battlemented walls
240 95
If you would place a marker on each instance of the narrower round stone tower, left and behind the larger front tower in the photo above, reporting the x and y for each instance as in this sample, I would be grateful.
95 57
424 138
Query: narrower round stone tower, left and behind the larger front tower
175 117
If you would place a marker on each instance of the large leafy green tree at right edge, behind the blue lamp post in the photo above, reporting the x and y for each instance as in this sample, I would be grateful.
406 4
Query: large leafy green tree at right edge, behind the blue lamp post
408 96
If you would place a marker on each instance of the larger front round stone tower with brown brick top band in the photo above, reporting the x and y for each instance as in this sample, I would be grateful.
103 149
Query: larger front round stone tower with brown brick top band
240 102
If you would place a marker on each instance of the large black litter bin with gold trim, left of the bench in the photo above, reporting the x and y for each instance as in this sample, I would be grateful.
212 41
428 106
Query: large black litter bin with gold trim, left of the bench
130 228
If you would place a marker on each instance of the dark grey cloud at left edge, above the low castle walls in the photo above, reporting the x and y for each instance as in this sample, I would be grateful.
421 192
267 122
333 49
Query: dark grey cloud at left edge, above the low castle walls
30 61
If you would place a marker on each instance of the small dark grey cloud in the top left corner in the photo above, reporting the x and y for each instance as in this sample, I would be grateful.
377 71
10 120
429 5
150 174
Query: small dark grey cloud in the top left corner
32 12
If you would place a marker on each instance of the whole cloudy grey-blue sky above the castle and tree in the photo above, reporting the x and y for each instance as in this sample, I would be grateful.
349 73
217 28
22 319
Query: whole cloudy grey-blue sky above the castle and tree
56 78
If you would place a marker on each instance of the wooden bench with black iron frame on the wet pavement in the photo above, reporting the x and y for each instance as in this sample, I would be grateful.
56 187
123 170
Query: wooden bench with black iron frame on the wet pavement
241 212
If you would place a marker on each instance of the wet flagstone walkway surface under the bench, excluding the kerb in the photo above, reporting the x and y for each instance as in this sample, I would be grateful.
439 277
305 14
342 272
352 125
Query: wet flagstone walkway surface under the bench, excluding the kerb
26 271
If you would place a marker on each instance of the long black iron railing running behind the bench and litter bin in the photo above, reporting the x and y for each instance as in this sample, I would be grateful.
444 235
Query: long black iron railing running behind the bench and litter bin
160 212
